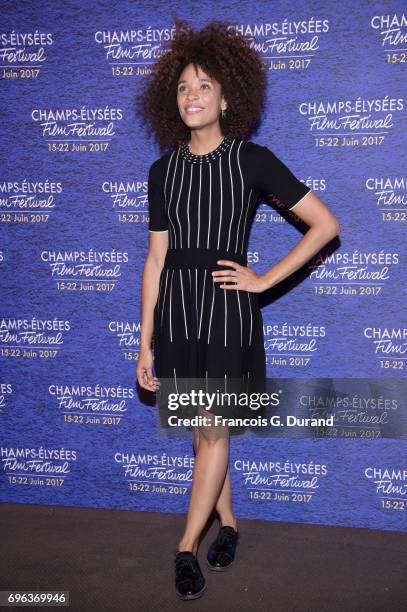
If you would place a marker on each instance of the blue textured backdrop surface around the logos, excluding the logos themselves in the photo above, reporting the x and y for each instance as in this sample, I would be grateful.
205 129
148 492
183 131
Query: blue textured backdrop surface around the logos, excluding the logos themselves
349 63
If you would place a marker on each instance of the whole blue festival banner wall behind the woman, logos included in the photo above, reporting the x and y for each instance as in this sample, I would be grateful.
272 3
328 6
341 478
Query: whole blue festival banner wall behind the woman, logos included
76 430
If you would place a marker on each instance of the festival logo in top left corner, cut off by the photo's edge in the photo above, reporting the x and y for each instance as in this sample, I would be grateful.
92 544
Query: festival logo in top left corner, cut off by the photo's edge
23 54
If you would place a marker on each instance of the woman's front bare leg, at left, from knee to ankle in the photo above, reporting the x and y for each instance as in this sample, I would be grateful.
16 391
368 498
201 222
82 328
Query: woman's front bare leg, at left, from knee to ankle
211 464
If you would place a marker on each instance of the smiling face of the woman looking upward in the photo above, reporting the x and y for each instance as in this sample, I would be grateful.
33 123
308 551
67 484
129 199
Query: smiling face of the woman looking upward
199 98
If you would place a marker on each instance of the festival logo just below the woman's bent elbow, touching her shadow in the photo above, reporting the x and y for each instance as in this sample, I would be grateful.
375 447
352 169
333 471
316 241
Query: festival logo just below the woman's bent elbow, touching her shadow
353 273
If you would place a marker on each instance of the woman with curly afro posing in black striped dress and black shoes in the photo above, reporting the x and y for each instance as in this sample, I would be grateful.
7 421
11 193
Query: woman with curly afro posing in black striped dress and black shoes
199 296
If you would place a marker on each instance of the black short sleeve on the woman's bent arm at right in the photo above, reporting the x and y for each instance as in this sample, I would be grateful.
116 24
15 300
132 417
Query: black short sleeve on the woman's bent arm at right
271 176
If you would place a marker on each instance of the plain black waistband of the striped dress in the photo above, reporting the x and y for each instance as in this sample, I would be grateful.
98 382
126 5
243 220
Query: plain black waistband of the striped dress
201 258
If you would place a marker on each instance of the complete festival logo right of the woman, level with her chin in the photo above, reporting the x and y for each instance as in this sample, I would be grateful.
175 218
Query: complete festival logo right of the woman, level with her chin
362 122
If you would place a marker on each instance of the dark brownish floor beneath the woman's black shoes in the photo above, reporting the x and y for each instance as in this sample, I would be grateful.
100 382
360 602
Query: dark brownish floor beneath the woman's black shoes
114 560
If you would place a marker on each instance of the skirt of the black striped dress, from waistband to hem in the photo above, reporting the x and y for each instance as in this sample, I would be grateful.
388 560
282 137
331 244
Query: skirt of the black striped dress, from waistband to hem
206 337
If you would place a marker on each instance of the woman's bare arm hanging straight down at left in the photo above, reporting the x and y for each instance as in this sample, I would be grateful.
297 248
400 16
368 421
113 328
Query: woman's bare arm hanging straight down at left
158 245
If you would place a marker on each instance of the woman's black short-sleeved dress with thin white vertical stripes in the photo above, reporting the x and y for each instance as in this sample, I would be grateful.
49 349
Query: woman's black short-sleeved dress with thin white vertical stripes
208 337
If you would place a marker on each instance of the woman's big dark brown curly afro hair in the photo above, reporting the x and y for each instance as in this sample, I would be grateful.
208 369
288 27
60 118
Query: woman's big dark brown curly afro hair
224 56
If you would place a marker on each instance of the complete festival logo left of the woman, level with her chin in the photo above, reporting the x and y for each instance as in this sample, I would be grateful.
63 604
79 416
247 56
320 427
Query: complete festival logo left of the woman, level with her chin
77 130
